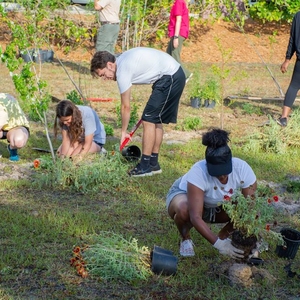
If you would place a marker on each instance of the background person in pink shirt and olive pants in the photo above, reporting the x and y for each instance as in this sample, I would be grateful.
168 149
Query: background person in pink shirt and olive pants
178 31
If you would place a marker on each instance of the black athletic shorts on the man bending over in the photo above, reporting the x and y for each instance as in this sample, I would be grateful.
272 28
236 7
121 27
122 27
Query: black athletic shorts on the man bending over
162 106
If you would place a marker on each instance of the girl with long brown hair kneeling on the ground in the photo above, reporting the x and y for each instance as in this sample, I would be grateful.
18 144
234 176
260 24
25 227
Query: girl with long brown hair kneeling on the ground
81 129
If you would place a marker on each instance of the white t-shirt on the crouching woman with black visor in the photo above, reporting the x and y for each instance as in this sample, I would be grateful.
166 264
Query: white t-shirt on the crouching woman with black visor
242 176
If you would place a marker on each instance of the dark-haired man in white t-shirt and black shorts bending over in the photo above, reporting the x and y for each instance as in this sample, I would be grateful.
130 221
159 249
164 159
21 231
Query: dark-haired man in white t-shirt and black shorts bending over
145 66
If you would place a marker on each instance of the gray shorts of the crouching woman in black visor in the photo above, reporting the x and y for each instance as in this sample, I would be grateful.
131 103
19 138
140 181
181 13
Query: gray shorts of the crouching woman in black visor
209 213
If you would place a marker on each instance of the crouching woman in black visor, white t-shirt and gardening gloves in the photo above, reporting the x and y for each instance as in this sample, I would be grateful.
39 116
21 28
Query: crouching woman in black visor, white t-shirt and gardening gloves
195 198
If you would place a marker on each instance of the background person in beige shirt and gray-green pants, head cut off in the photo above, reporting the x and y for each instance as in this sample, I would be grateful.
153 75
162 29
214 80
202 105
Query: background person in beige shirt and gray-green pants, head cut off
108 32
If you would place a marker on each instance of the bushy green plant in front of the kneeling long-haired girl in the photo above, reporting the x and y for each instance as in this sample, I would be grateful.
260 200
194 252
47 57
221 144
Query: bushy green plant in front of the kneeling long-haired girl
92 173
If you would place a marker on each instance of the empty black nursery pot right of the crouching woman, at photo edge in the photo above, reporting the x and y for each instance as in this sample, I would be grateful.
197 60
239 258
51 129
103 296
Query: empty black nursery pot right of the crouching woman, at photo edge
292 240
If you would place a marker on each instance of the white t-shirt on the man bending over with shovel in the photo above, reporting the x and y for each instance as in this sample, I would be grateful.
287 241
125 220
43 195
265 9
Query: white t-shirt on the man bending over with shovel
143 65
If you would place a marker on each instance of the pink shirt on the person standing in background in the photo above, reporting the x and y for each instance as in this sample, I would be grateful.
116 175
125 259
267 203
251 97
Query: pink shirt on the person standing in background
179 8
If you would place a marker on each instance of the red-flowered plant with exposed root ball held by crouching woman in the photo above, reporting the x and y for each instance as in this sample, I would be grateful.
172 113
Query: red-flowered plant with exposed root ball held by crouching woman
253 219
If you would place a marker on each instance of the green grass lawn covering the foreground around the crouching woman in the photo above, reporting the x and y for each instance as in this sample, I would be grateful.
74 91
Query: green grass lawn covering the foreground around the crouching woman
40 227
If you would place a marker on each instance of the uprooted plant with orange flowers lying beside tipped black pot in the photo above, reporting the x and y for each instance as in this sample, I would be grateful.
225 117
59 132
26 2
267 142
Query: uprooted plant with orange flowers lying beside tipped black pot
112 257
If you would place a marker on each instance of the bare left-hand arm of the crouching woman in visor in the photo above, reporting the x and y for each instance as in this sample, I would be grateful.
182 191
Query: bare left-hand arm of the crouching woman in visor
196 207
